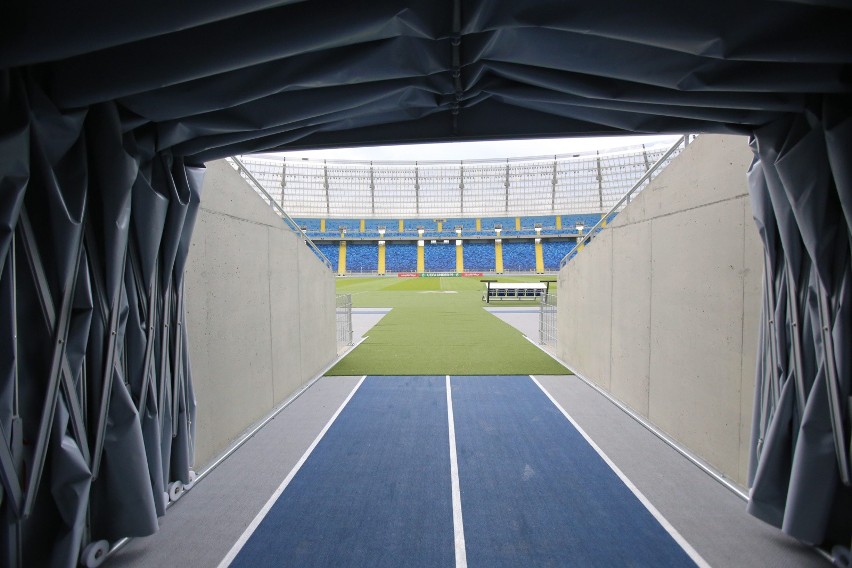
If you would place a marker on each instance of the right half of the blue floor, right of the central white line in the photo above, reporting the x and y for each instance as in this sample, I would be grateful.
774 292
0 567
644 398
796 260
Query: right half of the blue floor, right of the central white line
535 493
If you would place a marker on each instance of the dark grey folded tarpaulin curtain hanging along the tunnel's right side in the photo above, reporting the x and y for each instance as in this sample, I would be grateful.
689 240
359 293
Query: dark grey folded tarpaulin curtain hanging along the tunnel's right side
801 193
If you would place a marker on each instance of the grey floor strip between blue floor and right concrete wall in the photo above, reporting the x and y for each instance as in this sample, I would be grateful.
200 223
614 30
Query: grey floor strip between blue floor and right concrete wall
708 515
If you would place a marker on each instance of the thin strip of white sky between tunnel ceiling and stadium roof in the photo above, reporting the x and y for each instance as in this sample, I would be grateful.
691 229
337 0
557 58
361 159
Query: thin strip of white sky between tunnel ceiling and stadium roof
478 150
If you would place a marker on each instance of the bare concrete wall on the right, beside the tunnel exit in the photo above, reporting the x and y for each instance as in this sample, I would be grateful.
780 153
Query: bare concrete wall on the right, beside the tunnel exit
661 310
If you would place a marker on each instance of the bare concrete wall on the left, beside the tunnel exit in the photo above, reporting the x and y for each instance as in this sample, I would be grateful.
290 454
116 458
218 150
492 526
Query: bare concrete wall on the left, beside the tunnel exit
260 311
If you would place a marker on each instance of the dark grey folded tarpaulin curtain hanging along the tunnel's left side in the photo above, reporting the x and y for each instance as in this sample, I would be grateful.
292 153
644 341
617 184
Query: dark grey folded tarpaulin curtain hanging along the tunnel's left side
96 402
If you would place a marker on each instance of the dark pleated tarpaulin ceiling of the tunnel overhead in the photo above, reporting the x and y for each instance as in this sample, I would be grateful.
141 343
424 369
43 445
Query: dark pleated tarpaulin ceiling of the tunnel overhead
214 78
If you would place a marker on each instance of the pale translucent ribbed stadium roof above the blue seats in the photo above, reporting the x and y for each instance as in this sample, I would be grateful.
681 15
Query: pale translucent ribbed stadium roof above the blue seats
587 182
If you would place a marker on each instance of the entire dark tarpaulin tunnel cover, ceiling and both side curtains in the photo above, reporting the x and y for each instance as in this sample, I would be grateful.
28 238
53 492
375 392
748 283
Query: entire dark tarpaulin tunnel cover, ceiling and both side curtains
109 111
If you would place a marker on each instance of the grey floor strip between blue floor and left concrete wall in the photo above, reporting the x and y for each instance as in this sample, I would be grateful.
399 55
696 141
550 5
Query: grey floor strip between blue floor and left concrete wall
202 526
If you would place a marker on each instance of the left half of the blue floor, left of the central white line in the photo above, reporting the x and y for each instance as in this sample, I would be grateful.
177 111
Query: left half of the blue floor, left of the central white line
375 490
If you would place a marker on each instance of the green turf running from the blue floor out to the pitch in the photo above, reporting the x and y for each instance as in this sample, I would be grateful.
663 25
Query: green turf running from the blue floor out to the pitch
438 327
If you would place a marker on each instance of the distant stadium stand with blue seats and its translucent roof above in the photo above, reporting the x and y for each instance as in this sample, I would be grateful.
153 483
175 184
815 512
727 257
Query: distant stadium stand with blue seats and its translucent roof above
527 198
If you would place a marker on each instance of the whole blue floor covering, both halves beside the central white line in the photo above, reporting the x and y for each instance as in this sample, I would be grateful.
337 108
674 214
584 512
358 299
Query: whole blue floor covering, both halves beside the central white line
376 489
